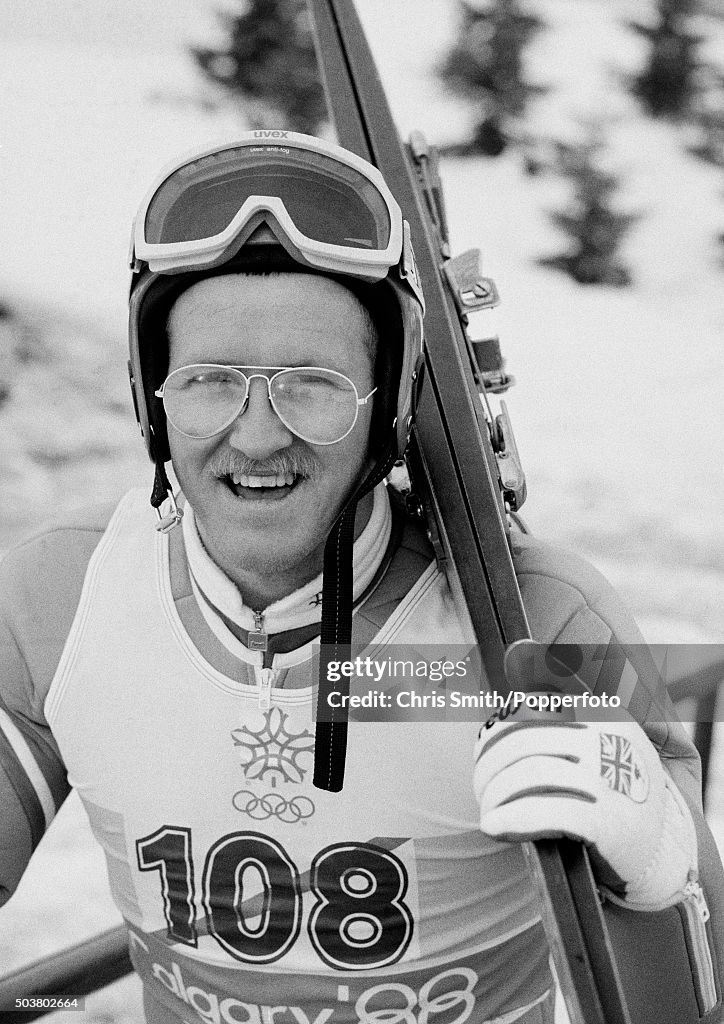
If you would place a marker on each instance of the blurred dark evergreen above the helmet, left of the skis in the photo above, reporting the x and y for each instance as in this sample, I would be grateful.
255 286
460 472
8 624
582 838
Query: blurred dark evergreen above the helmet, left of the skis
270 64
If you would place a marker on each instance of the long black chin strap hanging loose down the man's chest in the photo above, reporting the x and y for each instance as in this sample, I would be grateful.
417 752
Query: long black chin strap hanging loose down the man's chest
336 639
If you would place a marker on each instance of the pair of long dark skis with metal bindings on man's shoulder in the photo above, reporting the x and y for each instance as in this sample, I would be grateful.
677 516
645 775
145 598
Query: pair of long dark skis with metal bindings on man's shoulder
465 472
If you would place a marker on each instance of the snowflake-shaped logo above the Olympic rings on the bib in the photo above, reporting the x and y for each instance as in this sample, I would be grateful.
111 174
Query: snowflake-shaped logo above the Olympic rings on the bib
273 751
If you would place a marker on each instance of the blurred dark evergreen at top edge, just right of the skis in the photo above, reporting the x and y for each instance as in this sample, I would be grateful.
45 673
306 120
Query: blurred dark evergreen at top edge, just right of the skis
486 66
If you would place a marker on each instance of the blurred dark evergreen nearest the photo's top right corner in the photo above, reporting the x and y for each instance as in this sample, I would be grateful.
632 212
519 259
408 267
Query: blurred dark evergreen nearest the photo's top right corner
668 86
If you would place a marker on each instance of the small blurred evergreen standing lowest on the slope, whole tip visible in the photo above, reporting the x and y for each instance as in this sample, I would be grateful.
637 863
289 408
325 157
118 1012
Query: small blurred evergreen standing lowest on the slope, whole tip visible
594 227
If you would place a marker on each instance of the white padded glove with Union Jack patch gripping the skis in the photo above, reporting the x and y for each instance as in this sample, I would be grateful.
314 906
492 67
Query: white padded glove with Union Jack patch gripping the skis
599 783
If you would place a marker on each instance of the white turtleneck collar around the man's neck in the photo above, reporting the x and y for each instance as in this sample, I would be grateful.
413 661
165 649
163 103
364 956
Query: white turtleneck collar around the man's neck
302 608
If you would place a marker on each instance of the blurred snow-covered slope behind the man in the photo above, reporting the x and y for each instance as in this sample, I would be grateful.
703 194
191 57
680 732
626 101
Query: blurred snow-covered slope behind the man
618 410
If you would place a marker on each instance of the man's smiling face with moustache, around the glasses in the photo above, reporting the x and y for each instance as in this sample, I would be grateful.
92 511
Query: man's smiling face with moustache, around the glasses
277 532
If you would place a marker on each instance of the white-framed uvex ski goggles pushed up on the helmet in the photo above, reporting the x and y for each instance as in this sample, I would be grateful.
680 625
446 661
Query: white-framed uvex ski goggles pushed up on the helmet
333 209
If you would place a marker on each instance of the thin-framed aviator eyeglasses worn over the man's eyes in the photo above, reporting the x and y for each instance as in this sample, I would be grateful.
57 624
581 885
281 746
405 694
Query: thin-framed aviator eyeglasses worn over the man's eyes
318 405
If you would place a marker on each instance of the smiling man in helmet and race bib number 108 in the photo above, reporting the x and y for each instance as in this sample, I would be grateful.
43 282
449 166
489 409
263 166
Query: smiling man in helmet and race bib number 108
276 336
